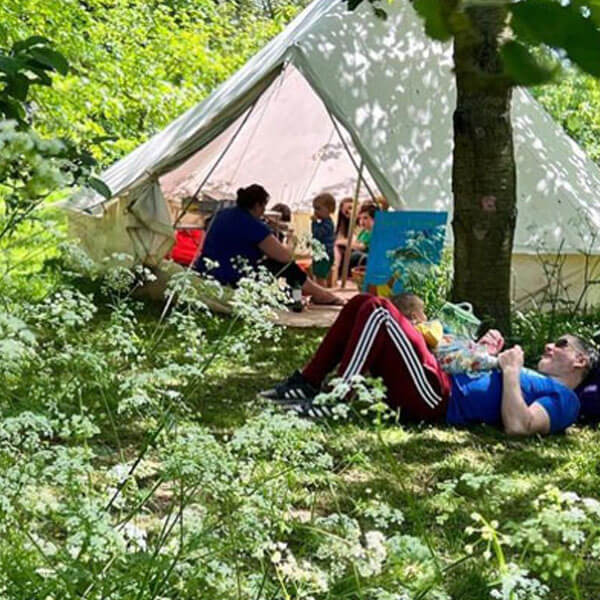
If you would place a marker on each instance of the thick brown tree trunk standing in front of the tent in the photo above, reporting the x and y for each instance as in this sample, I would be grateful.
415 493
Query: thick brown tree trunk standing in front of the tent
483 175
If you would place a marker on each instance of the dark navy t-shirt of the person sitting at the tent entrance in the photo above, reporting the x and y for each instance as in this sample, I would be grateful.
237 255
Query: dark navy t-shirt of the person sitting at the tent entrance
233 233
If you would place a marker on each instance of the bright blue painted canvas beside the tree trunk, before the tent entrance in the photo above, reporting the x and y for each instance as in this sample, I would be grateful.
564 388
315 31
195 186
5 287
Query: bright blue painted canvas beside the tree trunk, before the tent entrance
403 243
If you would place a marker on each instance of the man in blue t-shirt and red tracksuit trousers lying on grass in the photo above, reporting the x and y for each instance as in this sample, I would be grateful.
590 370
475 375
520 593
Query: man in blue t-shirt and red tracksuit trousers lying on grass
372 335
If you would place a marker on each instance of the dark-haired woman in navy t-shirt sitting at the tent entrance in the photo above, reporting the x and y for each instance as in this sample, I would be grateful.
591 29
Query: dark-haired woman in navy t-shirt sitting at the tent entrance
238 233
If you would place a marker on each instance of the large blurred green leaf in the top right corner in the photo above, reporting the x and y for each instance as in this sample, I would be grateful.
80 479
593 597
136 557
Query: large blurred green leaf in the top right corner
547 22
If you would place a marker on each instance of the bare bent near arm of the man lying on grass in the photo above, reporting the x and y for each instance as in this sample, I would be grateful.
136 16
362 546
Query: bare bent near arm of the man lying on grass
517 417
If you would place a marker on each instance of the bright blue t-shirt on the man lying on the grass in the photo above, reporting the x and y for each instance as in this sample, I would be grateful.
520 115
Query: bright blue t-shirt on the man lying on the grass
479 399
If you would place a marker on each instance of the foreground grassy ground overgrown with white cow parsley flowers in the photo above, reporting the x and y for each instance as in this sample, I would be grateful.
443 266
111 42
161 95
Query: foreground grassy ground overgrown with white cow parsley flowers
237 499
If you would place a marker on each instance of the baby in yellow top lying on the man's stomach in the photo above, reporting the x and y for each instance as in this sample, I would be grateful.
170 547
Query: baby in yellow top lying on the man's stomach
455 354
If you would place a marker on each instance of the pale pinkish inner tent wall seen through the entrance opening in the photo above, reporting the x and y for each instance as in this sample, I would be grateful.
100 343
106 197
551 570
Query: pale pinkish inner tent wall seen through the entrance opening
287 141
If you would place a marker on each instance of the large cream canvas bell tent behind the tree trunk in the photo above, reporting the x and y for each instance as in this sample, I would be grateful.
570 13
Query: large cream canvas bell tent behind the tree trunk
335 90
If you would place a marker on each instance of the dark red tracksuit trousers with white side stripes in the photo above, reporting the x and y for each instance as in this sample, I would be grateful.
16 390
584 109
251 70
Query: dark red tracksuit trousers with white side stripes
372 336
